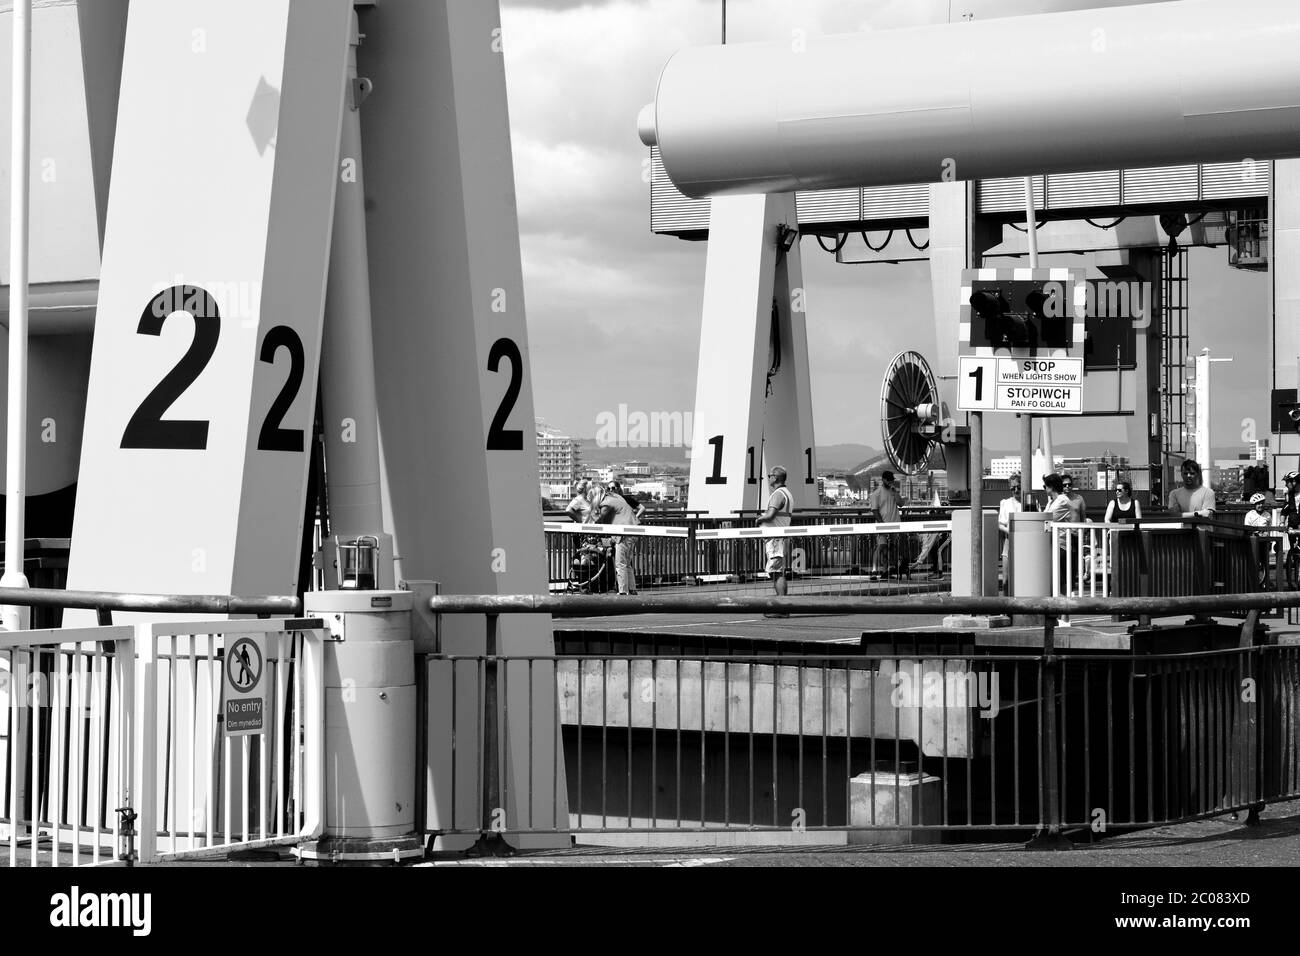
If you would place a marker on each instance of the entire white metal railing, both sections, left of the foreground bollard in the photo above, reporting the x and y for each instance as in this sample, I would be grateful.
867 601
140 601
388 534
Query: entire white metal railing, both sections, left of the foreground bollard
107 721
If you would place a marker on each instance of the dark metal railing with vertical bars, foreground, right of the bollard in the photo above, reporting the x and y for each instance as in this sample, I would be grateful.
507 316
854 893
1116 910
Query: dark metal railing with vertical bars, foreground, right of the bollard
896 743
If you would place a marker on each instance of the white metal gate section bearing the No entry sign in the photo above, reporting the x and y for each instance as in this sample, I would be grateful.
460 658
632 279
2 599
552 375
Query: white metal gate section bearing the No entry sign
205 788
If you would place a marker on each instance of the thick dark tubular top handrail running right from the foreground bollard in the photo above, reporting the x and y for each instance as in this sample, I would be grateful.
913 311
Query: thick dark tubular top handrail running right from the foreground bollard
601 605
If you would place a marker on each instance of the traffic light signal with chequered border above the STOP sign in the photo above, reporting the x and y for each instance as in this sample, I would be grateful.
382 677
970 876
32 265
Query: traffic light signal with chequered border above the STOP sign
1021 315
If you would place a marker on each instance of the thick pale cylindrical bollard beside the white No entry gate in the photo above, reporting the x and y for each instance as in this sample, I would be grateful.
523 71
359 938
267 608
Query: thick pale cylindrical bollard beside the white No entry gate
370 729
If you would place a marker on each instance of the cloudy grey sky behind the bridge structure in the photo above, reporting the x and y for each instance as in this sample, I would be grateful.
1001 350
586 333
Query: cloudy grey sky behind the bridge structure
603 288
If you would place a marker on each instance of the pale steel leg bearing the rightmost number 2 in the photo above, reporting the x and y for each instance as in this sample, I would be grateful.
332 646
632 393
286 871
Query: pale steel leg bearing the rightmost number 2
440 172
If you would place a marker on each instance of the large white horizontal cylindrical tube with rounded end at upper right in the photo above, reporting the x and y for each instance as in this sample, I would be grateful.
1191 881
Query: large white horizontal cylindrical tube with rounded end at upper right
1199 81
